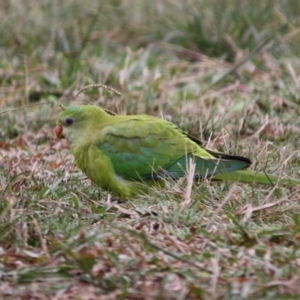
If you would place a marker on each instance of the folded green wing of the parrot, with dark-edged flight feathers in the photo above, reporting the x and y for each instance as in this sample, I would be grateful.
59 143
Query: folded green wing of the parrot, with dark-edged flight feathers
148 148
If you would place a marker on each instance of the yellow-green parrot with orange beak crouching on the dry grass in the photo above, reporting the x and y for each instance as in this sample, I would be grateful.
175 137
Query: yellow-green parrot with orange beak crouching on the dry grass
122 153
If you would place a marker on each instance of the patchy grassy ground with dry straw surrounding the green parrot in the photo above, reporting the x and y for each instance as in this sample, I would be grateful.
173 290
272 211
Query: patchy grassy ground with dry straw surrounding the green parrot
224 71
